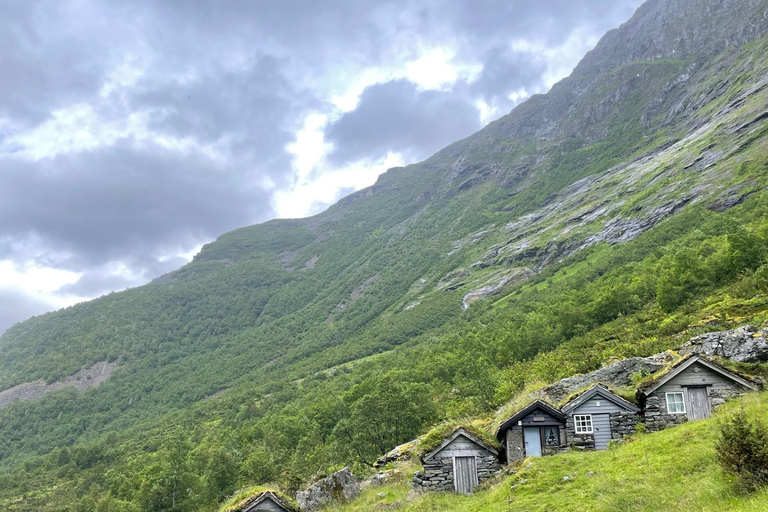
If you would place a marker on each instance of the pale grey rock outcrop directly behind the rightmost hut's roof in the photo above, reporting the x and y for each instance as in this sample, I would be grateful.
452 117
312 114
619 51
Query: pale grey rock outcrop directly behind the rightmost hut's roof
746 345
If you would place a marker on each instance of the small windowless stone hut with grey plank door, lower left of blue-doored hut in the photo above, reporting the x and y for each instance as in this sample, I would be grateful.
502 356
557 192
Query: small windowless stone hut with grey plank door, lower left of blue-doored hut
458 465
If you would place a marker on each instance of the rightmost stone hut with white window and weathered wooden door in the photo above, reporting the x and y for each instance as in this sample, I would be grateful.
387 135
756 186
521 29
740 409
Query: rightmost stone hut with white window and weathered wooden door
689 391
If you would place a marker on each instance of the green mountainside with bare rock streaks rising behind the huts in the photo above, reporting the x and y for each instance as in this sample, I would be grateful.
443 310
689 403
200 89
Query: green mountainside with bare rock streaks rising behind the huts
595 221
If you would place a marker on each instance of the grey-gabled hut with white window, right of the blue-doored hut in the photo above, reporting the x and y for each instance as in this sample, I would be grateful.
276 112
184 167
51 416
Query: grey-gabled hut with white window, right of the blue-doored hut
598 416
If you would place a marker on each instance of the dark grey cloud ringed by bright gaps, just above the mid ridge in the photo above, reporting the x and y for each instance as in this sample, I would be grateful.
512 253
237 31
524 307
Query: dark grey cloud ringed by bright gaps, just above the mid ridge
396 116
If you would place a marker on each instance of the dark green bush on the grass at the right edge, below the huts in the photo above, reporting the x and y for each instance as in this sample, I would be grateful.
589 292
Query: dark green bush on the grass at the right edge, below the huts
742 450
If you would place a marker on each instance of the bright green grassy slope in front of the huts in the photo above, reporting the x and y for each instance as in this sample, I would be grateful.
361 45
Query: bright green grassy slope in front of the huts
671 470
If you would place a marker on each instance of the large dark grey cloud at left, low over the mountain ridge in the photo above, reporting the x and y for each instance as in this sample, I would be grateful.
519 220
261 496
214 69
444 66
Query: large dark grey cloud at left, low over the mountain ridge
121 202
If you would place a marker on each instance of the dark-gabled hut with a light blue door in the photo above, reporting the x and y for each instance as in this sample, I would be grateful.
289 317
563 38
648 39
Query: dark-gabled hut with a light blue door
537 429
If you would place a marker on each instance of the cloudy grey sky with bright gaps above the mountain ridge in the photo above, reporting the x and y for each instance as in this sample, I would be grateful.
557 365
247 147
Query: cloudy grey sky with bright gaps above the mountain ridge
133 132
